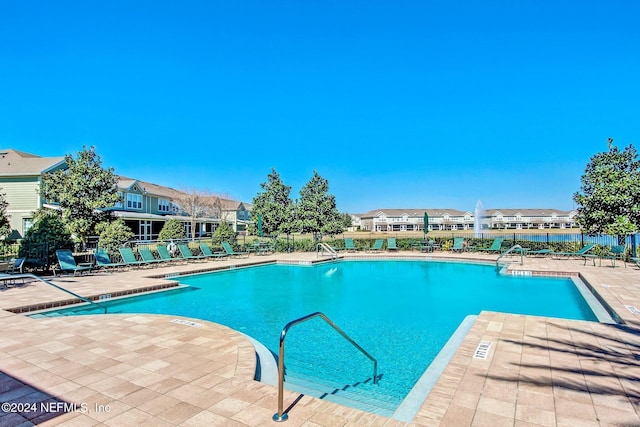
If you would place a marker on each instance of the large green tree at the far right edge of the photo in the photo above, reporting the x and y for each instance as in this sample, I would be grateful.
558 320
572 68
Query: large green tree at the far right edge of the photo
609 198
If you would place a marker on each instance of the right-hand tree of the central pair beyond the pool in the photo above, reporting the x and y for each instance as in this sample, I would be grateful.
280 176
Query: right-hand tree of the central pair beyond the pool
316 209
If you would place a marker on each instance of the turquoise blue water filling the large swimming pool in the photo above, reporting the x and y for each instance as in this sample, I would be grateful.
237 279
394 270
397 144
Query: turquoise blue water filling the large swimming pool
401 312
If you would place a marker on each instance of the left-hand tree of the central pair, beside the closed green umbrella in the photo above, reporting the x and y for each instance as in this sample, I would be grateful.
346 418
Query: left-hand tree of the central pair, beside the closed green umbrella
275 206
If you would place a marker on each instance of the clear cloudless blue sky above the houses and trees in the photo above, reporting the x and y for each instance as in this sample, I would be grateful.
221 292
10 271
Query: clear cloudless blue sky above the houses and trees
399 104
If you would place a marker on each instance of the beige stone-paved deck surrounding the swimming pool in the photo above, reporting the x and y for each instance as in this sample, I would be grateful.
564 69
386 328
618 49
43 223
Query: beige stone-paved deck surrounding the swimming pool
124 369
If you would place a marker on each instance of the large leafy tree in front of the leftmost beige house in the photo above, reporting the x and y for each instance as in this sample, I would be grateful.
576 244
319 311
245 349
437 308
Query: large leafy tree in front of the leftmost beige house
83 192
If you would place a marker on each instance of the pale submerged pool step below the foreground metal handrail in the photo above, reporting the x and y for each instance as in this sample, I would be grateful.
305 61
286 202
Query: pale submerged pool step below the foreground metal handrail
363 396
